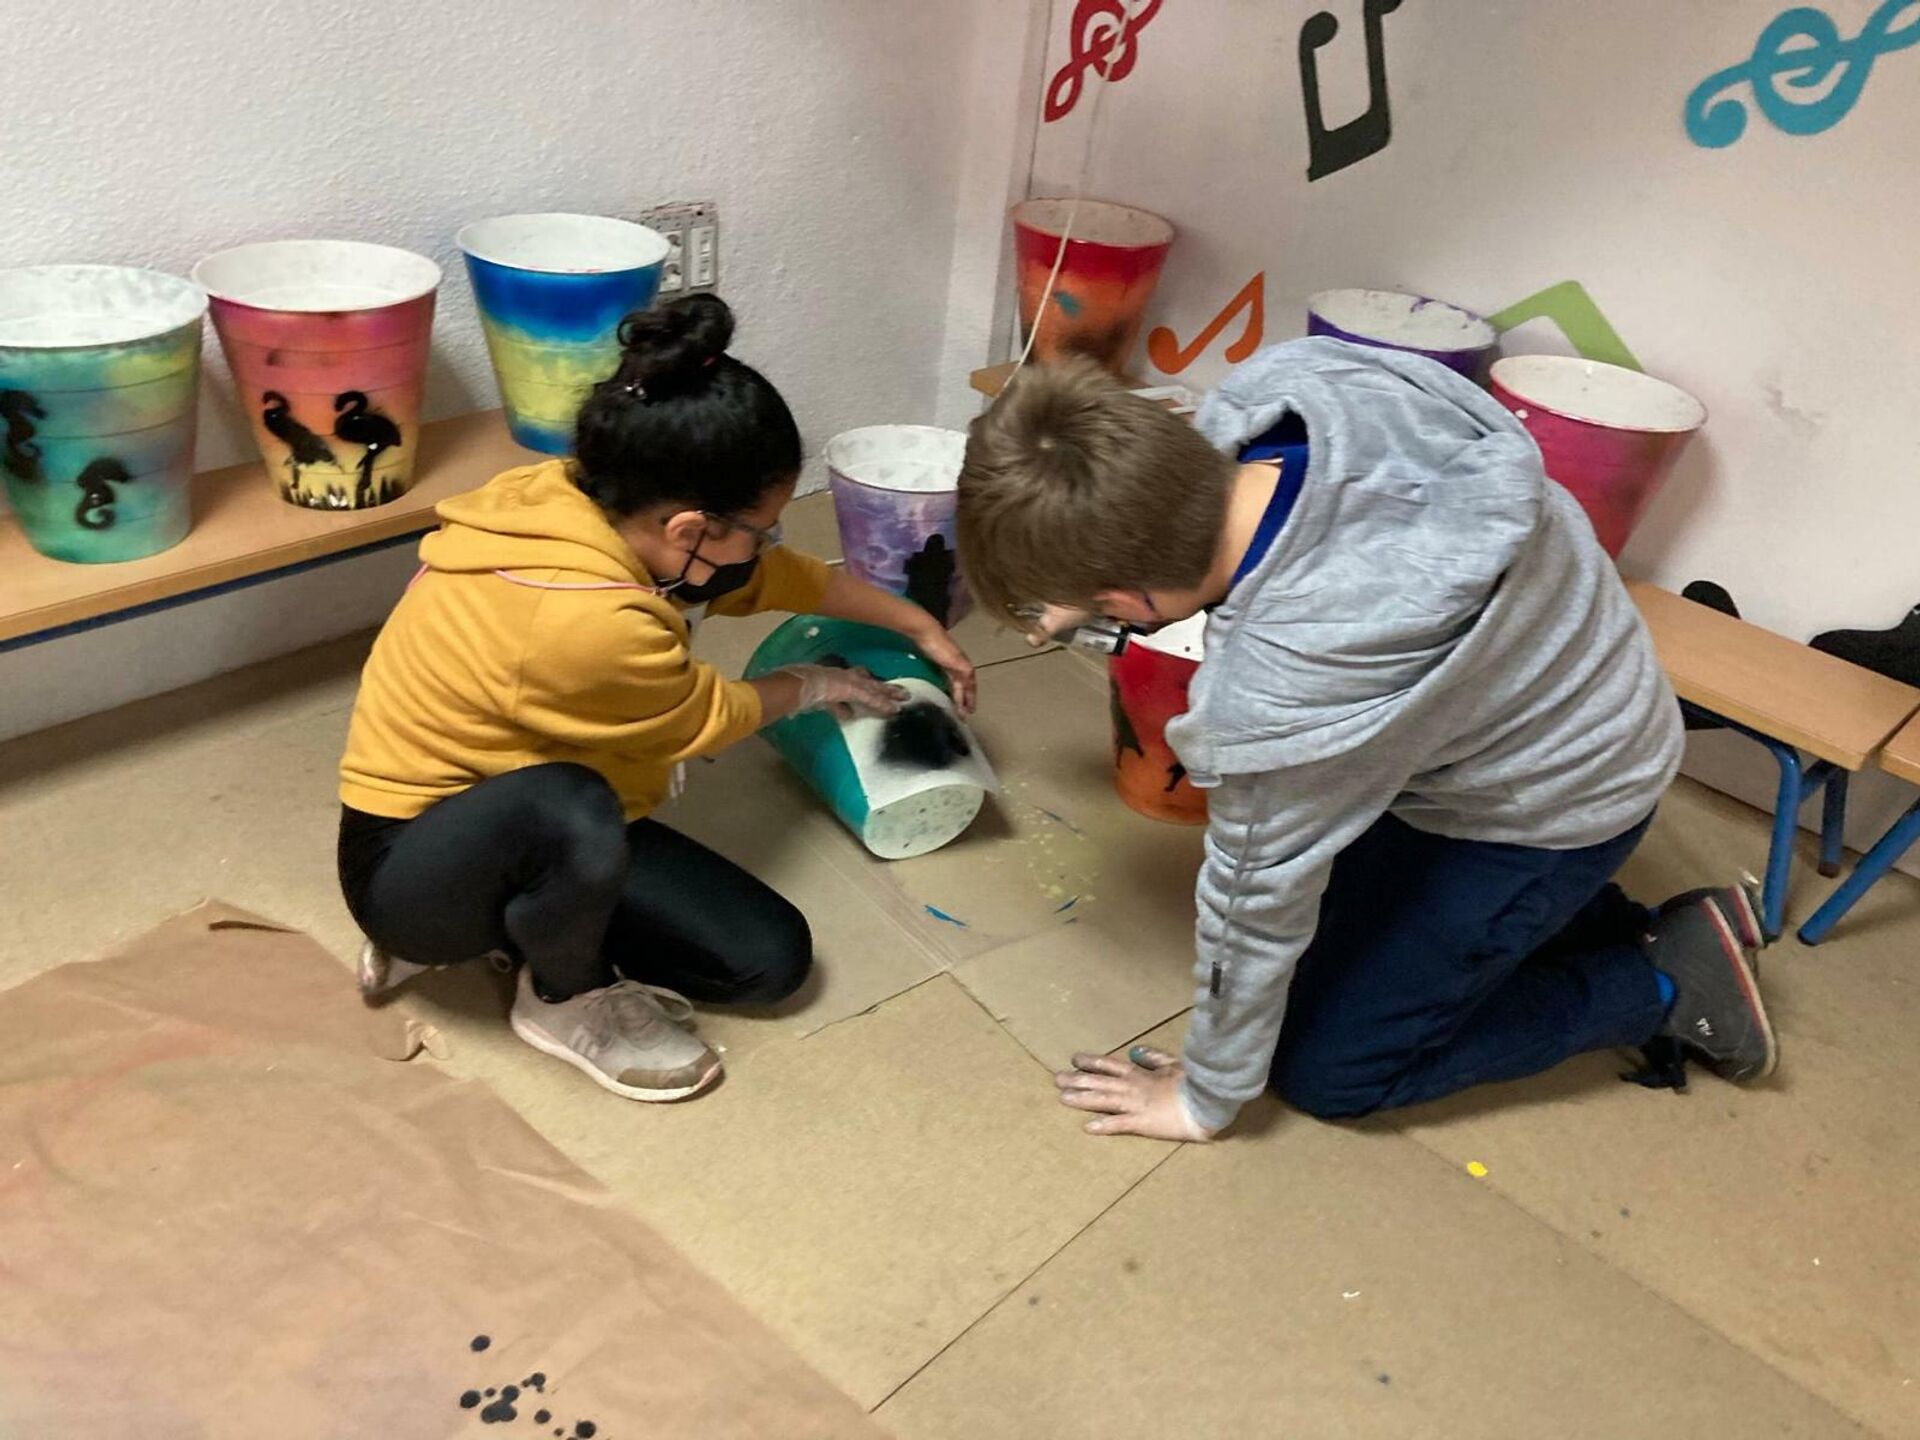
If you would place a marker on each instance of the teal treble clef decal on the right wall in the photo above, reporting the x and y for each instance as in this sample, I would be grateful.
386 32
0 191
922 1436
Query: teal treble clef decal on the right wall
1790 68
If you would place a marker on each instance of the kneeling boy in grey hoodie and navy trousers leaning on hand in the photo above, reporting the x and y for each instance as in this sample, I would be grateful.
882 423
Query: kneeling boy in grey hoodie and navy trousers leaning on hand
1429 723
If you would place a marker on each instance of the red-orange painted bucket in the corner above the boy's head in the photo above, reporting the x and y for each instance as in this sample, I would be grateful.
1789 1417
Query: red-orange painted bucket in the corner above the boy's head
1111 270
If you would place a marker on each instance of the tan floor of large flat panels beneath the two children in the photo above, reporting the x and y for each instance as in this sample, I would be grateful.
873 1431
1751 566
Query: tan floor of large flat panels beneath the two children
886 1178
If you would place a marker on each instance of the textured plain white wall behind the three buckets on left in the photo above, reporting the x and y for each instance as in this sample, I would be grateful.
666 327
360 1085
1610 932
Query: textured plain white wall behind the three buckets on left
830 135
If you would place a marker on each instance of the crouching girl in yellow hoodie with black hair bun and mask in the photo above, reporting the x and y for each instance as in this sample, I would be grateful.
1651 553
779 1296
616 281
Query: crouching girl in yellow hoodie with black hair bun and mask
533 698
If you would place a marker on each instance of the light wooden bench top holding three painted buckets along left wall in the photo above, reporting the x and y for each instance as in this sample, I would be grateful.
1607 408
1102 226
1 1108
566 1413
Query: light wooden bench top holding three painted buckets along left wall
243 529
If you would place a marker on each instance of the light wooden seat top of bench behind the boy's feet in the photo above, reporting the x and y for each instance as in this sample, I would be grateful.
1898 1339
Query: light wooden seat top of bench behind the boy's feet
1773 684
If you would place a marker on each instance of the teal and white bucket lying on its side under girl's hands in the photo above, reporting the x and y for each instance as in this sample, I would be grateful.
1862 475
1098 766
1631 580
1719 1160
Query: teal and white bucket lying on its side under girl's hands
878 777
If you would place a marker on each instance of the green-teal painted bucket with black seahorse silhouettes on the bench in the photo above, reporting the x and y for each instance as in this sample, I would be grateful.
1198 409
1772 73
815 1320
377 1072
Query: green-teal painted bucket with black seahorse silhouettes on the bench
99 391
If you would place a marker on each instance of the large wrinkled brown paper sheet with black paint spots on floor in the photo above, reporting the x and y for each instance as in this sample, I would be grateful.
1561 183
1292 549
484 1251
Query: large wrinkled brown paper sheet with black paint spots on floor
224 1214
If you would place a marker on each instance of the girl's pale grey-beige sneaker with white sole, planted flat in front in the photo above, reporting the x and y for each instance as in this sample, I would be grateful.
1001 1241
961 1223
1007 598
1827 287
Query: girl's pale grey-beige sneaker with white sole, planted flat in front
627 1038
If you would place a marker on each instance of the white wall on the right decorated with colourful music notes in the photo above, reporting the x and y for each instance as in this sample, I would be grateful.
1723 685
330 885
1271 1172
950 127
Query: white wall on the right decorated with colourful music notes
1537 143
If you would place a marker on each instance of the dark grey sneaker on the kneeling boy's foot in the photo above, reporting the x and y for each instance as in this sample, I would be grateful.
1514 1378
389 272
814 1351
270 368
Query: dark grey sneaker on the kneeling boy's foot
1717 1011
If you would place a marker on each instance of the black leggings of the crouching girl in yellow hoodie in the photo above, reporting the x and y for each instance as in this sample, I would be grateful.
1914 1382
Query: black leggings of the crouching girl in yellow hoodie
540 865
